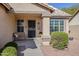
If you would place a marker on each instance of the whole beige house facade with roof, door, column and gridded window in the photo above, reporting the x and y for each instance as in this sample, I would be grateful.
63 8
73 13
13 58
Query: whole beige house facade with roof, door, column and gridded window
32 19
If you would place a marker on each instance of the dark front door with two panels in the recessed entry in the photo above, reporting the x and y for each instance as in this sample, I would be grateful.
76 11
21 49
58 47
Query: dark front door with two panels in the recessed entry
31 28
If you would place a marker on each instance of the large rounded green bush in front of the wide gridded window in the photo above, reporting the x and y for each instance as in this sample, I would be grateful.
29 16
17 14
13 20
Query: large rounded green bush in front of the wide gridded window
59 40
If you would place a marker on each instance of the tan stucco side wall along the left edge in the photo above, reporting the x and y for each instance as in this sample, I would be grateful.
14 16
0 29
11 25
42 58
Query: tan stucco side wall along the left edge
7 26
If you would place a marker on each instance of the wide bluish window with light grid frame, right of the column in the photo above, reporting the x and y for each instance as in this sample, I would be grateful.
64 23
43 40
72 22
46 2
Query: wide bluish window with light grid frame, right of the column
59 25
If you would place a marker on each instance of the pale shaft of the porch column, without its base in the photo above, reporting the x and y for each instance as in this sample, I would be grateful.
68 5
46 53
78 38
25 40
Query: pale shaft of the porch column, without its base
46 26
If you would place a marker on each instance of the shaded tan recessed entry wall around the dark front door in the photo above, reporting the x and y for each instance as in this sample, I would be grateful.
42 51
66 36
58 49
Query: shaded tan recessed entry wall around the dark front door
31 24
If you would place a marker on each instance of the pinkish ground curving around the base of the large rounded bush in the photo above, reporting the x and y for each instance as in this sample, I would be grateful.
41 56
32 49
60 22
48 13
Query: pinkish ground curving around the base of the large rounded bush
72 50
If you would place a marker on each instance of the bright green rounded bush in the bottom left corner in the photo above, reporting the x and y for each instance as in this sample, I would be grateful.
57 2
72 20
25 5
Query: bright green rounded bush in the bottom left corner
9 51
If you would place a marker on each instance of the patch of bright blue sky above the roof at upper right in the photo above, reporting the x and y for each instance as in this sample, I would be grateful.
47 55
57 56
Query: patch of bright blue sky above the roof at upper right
62 5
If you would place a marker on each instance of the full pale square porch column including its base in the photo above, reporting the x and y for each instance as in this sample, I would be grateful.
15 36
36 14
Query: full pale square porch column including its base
46 30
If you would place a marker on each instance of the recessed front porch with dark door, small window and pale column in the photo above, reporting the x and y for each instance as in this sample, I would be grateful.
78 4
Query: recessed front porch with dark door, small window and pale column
32 26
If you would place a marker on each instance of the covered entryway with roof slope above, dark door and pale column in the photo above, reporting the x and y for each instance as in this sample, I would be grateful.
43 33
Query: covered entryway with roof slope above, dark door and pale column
35 19
